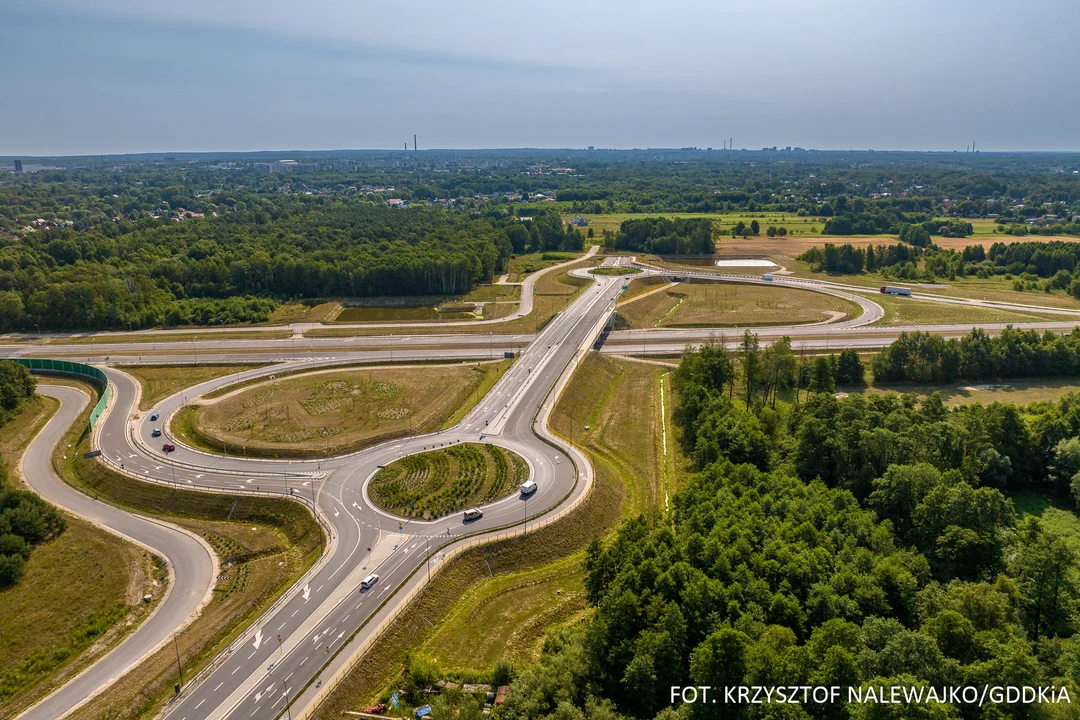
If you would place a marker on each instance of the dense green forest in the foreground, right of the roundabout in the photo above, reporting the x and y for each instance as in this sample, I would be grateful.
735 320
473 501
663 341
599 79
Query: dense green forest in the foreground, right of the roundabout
858 541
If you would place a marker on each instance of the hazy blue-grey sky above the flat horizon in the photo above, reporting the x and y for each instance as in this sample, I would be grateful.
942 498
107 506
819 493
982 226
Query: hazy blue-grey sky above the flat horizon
92 77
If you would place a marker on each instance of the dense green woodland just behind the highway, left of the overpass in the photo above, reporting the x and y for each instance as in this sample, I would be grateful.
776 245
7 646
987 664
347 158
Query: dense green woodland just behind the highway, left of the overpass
238 267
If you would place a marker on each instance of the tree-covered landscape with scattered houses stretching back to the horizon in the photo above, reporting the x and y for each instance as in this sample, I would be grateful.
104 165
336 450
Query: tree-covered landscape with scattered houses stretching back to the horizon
169 240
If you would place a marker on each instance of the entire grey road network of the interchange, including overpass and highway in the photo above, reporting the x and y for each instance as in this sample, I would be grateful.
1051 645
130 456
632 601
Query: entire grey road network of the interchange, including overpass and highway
293 655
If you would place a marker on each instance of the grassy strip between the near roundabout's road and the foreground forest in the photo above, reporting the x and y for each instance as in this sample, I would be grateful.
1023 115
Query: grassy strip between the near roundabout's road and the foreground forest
502 599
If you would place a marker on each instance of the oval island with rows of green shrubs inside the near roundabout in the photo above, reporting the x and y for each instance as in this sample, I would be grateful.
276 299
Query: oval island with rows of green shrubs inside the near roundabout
439 483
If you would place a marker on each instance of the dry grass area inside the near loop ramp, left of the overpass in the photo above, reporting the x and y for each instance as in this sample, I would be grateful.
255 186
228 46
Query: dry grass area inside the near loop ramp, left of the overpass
334 412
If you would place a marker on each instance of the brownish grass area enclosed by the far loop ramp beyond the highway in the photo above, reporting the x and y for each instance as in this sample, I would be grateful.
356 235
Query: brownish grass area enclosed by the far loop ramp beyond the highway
727 305
